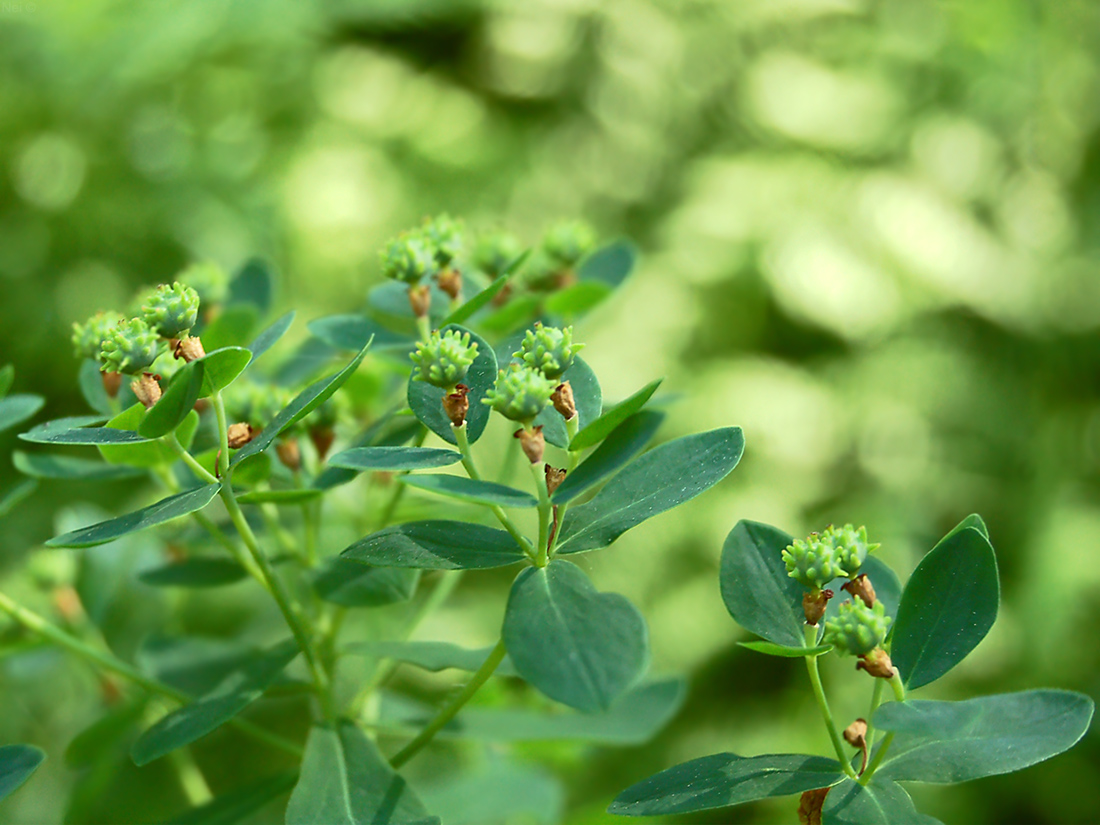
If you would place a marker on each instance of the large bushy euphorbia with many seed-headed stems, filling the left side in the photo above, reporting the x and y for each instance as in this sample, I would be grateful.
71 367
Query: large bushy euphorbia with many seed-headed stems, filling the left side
181 401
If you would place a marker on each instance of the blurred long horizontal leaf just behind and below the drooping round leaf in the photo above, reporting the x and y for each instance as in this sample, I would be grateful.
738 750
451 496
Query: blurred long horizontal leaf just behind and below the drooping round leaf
634 719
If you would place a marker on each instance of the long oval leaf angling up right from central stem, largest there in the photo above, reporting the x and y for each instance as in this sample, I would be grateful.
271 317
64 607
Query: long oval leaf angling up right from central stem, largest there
663 479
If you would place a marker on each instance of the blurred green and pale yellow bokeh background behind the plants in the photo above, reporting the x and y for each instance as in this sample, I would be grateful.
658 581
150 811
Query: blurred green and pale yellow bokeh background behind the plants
871 236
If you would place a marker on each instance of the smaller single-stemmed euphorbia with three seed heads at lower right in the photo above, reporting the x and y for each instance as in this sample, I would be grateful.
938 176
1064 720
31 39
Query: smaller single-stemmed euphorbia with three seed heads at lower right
789 592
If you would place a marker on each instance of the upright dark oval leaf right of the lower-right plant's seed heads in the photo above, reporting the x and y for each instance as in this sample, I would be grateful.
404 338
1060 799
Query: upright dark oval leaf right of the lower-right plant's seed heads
948 608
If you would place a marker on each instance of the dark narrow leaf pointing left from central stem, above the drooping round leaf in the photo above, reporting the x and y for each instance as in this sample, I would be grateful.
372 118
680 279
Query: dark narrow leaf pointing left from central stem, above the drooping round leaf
437 545
